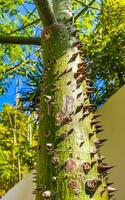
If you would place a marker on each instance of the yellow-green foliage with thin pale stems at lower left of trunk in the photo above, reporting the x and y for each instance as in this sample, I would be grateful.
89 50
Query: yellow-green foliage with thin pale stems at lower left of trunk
17 153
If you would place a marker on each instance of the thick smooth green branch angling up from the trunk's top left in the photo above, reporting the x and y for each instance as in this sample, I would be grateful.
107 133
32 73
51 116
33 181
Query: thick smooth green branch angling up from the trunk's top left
45 11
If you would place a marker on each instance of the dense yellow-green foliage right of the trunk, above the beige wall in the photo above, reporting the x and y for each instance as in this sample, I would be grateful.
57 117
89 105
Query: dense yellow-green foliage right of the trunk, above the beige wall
103 41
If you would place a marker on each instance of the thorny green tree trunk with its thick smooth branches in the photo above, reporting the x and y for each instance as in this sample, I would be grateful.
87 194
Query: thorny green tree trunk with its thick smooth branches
69 164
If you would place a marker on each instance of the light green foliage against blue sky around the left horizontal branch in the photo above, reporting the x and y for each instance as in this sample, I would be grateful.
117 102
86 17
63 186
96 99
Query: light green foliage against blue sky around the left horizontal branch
15 59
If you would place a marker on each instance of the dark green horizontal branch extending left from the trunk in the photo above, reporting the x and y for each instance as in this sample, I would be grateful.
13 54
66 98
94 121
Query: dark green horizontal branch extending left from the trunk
20 40
